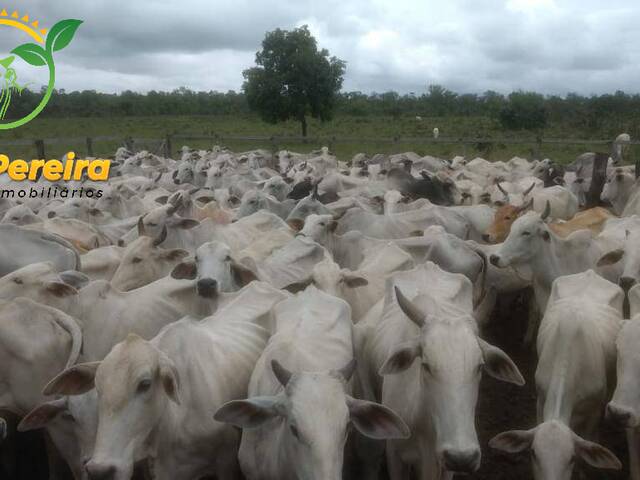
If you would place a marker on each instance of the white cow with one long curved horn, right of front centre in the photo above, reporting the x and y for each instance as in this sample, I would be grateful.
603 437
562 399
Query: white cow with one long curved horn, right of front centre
427 315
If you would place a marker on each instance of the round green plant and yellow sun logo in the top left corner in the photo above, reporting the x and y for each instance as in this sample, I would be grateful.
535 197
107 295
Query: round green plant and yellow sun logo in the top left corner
39 54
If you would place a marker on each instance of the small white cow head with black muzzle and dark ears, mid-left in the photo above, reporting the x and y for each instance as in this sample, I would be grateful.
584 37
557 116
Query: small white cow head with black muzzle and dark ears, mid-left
215 270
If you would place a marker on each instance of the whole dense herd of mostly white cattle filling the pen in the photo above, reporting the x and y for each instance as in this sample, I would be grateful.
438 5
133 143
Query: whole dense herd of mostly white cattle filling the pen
293 316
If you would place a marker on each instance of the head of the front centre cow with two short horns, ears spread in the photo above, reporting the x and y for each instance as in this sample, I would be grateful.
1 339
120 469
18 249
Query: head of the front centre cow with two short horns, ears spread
315 443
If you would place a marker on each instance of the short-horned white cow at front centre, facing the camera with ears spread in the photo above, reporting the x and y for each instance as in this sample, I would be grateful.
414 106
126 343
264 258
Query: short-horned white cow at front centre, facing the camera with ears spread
299 407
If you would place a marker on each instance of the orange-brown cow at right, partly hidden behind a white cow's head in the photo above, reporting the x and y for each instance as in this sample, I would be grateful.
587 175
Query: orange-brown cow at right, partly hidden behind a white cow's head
592 219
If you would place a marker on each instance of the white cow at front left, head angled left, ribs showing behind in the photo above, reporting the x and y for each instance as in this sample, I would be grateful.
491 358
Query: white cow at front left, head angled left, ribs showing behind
155 398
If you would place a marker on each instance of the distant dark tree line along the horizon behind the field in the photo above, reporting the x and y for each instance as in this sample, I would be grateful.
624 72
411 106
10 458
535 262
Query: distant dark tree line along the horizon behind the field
518 110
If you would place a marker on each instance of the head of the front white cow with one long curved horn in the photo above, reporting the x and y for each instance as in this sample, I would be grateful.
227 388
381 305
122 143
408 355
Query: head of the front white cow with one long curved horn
451 358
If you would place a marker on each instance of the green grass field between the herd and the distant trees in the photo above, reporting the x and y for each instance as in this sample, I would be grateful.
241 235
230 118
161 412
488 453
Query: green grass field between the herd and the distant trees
370 128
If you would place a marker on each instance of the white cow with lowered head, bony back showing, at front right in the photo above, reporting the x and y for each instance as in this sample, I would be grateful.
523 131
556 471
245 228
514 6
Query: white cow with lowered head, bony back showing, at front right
576 346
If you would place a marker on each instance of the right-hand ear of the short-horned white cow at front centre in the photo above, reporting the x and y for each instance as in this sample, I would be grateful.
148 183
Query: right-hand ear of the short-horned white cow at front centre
376 421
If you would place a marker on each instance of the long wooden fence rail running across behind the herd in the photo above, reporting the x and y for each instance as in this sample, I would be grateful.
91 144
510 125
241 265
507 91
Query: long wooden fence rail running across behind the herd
166 143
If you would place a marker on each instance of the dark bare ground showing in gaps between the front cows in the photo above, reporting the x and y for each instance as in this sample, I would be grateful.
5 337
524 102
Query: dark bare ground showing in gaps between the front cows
501 407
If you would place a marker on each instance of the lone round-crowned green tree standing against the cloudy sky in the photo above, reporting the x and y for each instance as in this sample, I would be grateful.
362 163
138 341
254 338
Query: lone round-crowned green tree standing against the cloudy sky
293 79
